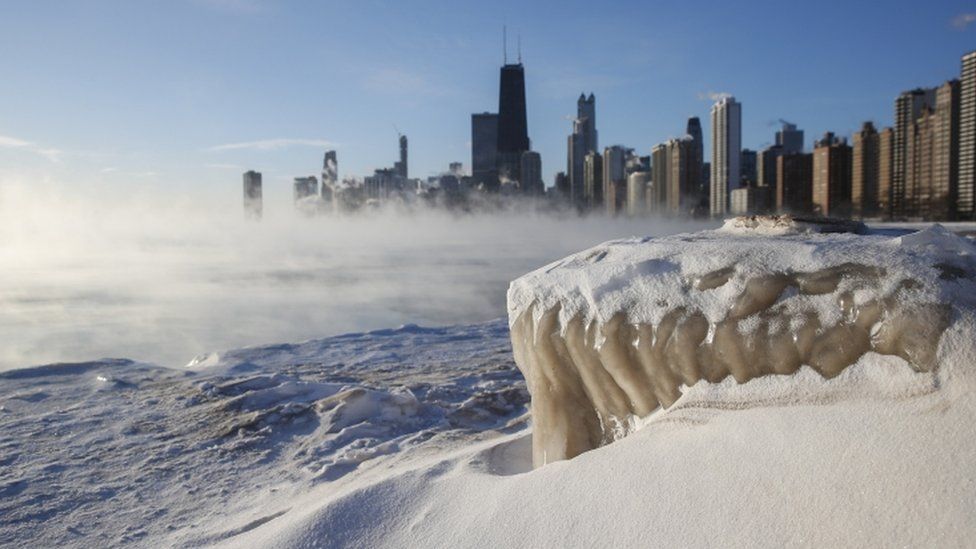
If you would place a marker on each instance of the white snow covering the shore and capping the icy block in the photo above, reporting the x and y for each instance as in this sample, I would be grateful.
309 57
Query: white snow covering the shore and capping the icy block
421 437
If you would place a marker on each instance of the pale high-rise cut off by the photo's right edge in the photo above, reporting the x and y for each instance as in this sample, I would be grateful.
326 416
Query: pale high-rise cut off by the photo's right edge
966 195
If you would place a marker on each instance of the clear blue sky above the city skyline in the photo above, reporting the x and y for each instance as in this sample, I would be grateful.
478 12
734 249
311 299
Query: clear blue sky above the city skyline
192 92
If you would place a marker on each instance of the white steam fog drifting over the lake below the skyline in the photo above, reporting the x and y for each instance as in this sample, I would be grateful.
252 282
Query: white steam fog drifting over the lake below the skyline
163 279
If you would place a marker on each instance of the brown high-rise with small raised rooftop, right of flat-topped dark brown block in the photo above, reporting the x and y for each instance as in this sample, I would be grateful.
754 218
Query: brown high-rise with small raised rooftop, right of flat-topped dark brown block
832 177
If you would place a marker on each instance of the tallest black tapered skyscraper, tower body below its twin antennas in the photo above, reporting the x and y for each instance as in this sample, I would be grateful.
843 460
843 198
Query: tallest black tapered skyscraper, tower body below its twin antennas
513 133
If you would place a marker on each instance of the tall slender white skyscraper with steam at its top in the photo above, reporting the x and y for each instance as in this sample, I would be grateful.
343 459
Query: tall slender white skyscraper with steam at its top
726 152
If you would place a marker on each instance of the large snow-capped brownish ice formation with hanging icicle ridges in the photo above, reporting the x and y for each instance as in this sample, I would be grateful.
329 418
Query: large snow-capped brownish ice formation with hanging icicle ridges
609 335
